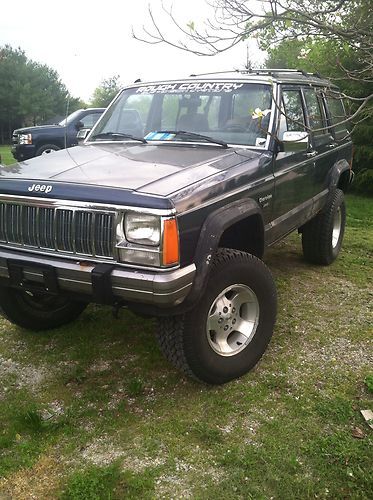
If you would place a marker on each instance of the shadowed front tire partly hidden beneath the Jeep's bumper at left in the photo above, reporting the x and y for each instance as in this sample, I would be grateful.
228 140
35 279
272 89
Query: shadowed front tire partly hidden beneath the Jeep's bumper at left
38 311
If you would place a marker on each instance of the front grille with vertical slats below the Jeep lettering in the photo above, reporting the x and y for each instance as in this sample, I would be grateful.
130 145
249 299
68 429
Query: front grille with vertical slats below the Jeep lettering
66 230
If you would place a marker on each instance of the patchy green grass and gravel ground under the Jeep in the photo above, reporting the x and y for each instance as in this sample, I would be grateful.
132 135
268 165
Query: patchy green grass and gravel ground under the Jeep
92 410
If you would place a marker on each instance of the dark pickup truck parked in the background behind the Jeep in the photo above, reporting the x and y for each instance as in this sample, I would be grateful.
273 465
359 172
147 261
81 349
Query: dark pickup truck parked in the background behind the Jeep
28 142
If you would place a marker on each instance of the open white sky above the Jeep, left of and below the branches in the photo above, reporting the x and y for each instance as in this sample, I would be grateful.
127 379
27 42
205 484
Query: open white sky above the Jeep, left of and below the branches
88 41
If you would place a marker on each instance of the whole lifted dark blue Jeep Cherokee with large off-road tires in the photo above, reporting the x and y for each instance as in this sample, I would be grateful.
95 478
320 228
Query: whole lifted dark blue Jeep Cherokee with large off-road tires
168 206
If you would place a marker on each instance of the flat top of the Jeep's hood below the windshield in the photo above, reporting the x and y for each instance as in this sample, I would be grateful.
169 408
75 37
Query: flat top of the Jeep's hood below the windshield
145 168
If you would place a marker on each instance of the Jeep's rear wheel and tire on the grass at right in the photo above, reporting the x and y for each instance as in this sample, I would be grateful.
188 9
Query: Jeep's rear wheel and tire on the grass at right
322 236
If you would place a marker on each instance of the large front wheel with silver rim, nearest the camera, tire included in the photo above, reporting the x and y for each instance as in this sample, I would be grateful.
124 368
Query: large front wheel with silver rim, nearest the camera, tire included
229 329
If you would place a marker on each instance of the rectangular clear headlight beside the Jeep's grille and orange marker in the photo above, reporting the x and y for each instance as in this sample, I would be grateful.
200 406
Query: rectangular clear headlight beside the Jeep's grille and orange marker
143 229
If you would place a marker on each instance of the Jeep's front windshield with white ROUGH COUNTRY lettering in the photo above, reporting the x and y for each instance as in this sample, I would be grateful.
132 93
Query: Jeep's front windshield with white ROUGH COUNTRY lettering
233 113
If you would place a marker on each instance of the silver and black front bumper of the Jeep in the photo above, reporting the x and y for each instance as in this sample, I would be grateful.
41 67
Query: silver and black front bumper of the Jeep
161 289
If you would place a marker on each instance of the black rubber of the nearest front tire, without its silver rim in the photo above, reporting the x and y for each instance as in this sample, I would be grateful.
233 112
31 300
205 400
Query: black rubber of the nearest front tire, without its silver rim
184 338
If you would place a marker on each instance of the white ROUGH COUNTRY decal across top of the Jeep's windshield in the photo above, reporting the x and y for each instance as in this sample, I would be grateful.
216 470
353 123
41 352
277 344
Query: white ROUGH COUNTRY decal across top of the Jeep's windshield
173 88
